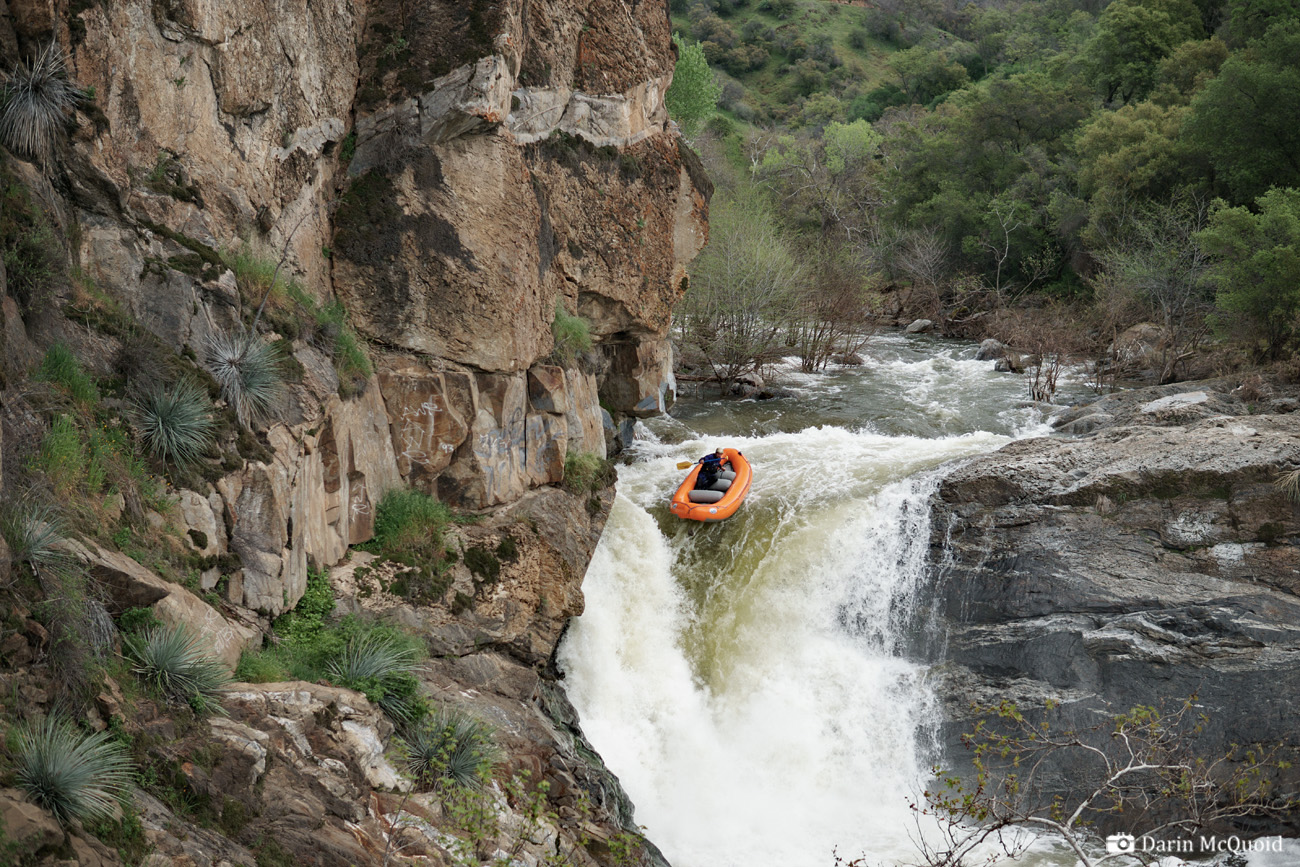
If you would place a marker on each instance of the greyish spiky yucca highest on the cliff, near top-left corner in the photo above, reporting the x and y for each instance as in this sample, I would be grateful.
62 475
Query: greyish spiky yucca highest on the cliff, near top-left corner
34 103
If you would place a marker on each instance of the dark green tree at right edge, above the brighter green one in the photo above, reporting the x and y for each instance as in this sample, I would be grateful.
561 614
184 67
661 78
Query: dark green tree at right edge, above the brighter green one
1246 119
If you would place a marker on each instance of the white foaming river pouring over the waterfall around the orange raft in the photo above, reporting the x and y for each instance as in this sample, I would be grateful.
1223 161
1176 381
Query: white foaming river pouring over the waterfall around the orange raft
746 680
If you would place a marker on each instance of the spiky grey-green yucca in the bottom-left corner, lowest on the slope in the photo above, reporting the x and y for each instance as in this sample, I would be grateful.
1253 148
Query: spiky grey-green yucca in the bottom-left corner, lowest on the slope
70 774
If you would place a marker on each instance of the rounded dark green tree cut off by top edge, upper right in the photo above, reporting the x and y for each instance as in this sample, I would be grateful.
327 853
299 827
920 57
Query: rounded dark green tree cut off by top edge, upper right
1133 37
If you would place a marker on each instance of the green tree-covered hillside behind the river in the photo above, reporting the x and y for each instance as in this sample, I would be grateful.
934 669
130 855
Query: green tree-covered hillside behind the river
1048 172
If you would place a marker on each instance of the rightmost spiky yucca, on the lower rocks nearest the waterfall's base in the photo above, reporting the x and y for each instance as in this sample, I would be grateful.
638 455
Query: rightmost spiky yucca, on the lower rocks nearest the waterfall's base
452 747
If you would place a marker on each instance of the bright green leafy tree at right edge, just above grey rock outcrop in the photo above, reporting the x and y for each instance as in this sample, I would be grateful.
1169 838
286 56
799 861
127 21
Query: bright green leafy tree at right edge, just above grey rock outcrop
1256 266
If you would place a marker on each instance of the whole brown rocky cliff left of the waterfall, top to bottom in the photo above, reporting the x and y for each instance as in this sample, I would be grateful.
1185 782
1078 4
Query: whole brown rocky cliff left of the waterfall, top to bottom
452 175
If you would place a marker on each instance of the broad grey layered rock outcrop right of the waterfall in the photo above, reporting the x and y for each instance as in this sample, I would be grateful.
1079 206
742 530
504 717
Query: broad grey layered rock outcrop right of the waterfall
1152 561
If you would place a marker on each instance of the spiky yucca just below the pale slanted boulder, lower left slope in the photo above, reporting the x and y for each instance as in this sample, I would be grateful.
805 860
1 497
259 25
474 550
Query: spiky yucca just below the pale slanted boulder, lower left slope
179 666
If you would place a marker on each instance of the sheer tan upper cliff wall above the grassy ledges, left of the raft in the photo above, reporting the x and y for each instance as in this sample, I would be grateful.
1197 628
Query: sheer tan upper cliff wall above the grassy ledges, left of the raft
450 172
